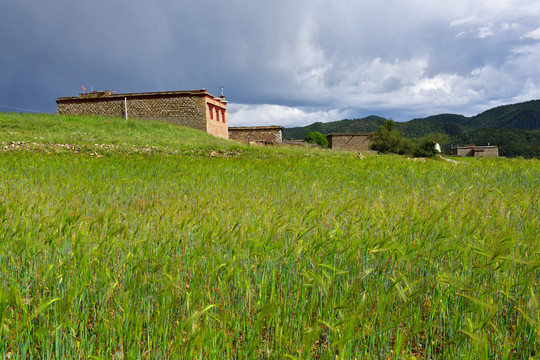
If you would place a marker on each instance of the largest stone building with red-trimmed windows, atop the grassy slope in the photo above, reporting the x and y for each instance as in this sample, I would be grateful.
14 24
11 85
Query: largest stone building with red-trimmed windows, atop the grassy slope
197 109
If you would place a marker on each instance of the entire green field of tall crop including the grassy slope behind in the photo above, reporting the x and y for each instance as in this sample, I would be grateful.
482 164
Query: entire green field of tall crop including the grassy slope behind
143 240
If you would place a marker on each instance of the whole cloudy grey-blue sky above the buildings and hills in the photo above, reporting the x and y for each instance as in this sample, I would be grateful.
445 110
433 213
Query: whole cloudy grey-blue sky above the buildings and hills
280 62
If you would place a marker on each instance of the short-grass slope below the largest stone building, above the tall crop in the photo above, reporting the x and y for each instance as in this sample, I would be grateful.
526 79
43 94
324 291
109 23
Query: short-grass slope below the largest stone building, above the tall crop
108 136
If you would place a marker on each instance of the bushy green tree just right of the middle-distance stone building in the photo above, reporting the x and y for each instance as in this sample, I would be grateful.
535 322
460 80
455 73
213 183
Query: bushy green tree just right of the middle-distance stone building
389 140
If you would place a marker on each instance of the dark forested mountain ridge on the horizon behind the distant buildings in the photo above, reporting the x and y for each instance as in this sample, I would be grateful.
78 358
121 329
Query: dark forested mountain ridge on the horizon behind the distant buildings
514 128
